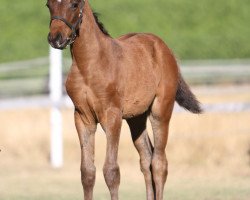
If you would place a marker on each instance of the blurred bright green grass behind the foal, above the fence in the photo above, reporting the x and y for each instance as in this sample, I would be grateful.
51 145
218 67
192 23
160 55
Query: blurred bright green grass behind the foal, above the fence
197 29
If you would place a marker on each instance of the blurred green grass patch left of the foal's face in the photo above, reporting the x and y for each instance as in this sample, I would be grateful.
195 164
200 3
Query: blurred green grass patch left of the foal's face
23 30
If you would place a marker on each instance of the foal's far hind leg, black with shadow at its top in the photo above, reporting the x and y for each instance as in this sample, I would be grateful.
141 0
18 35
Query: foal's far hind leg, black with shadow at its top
145 149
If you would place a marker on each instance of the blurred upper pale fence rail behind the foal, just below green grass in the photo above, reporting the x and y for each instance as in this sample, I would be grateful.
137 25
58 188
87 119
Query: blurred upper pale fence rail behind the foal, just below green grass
27 78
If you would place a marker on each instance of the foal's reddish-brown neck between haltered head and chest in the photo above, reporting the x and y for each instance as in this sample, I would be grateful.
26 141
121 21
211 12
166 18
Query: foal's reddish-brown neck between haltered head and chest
91 39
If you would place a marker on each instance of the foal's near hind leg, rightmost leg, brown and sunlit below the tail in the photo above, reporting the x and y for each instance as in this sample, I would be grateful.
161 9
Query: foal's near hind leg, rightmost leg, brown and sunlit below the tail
160 116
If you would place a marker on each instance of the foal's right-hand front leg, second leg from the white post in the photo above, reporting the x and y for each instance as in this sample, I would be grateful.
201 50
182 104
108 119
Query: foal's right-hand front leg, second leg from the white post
111 124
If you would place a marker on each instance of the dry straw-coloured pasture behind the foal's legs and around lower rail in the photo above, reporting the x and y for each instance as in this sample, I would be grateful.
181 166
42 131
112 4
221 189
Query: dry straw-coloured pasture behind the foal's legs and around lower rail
209 155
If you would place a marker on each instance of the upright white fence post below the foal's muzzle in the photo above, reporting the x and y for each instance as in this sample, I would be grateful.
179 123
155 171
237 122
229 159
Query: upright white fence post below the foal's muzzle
55 86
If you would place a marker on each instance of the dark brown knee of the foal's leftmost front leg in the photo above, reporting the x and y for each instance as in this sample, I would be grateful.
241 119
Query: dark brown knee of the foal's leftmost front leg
88 176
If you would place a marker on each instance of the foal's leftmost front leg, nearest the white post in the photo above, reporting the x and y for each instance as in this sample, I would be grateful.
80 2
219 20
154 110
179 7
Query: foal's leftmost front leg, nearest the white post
86 132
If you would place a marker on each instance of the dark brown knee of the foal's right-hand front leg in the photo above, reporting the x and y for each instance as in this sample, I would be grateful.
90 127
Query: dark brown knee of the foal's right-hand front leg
112 175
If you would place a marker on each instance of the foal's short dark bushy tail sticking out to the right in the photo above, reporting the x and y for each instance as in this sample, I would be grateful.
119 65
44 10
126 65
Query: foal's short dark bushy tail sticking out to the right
185 98
